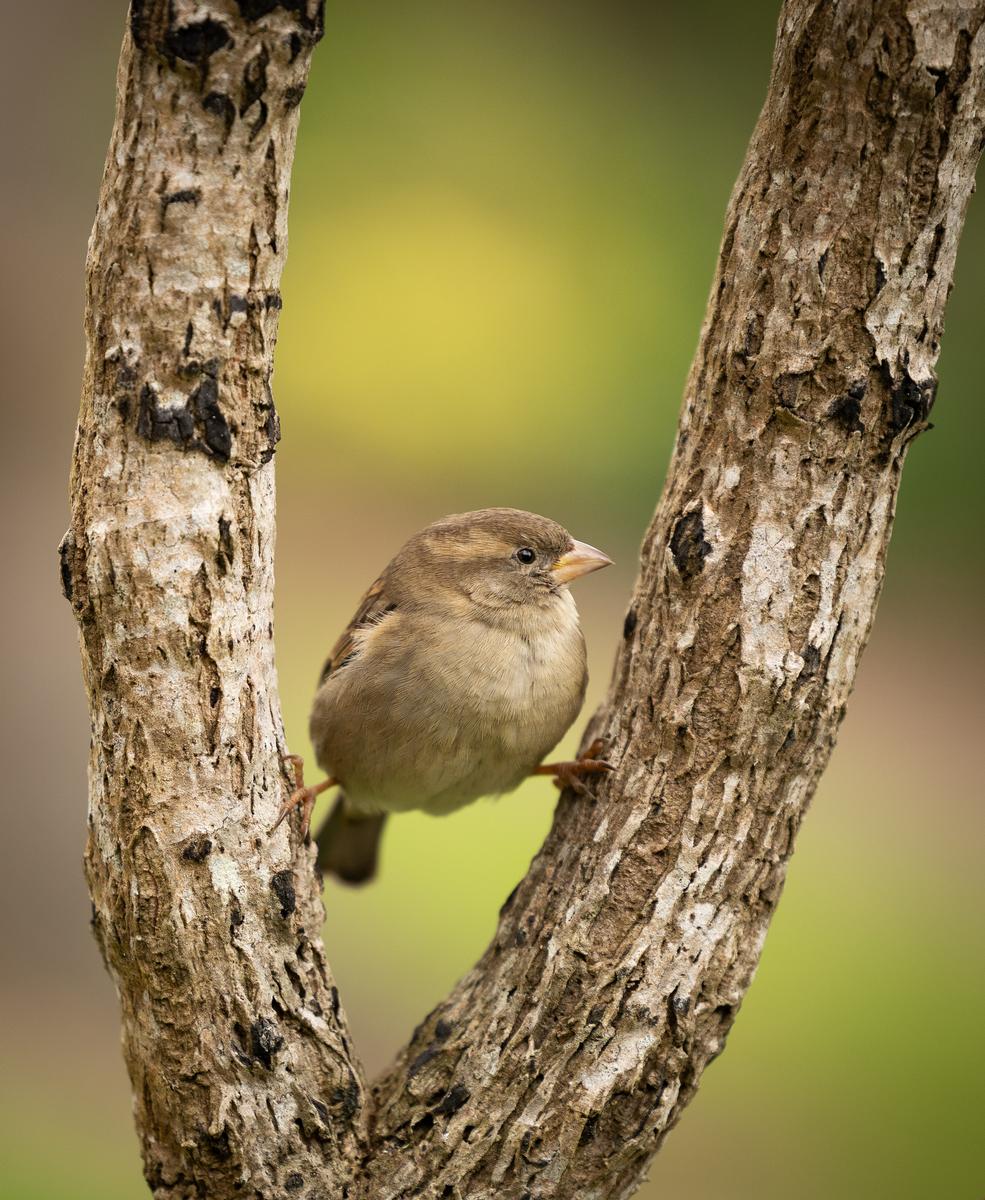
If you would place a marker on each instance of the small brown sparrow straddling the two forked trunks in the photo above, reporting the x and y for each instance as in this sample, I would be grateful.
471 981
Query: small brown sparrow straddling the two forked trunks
464 667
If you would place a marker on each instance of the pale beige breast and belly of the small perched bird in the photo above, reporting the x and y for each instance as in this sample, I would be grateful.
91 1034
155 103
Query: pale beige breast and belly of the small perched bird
433 715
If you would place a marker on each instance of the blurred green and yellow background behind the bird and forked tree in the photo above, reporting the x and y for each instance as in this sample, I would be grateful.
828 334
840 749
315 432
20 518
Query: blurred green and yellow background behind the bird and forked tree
504 225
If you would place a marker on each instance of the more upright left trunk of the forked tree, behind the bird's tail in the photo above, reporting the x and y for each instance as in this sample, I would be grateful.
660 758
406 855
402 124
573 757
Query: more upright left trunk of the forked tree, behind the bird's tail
232 1030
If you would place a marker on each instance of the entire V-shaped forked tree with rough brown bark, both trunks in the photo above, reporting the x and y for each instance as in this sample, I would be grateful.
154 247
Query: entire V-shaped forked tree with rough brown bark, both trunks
561 1061
